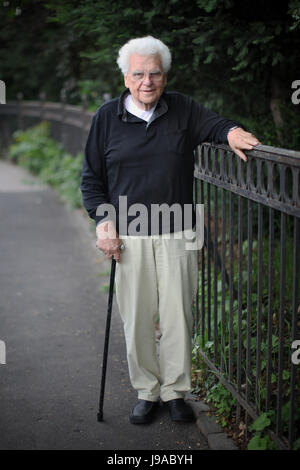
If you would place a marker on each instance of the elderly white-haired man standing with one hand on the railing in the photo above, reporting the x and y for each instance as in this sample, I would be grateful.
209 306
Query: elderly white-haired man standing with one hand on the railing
141 145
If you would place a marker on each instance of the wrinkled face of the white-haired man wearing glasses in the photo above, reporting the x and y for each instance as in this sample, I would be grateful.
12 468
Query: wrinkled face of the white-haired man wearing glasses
145 80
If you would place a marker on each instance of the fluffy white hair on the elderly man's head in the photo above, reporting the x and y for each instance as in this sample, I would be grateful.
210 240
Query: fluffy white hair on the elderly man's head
147 45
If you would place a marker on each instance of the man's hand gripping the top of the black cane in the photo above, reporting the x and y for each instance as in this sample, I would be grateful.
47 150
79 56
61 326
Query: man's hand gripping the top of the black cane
108 240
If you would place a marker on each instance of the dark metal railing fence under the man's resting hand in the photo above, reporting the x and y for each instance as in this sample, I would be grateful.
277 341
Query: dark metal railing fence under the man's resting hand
248 308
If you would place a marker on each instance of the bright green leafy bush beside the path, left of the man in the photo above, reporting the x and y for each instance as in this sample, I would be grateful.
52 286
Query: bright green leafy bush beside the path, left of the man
34 150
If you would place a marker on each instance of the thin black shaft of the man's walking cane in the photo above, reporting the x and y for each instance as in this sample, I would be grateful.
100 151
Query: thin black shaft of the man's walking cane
106 343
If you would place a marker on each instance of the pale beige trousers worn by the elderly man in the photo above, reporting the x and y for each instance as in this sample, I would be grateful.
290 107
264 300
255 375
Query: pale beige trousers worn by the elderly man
157 275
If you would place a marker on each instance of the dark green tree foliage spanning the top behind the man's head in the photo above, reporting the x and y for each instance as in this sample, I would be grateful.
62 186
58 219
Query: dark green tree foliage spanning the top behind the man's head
234 60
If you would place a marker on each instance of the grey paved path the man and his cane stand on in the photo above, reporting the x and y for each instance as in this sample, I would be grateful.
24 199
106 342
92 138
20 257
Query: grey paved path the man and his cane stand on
52 320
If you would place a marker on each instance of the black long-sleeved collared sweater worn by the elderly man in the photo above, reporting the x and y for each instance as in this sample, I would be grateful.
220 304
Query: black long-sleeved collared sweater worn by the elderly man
150 163
